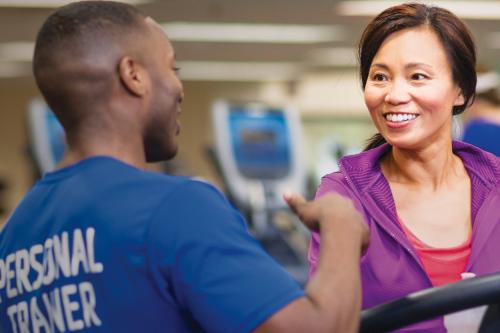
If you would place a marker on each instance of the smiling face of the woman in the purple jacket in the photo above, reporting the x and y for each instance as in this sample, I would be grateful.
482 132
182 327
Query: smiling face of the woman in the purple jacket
410 92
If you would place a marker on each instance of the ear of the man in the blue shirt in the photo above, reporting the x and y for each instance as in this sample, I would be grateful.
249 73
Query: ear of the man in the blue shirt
133 76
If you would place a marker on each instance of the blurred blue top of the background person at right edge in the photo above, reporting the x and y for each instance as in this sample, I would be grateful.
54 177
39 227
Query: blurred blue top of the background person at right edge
483 134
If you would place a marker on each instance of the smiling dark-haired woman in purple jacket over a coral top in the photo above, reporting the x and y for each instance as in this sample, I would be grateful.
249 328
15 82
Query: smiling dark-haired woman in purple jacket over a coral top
432 204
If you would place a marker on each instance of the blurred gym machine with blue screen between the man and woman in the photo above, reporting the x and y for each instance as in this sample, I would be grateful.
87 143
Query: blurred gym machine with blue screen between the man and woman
258 149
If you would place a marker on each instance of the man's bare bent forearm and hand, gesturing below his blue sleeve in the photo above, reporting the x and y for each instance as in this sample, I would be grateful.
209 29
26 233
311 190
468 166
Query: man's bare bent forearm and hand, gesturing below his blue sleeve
333 296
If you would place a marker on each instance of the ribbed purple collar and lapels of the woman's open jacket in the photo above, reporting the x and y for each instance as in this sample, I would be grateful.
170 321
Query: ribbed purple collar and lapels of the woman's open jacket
363 173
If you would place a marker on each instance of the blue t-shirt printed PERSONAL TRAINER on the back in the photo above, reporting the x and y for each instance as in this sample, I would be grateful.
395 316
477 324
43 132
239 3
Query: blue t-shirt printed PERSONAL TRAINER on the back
101 246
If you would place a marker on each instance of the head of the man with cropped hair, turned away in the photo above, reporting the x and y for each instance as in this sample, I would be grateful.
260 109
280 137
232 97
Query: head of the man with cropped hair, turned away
102 64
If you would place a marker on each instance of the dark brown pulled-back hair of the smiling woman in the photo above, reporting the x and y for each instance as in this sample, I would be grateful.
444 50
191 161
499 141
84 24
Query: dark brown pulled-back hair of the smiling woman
452 32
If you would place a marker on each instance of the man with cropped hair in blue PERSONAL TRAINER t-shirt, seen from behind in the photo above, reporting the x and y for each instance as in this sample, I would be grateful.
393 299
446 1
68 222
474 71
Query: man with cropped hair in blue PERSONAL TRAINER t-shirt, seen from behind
101 245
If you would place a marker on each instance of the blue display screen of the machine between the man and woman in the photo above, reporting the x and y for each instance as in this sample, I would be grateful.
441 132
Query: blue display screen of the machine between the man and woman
260 142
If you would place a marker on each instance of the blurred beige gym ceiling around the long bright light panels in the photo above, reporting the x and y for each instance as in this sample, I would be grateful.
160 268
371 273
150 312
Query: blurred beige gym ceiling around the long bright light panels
21 25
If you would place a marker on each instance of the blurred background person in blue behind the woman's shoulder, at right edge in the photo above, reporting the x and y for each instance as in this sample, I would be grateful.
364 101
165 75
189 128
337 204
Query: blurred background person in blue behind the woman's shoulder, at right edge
482 127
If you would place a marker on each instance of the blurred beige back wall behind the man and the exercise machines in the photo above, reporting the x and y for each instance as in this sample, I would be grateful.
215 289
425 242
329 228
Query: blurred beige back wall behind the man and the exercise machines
320 120
